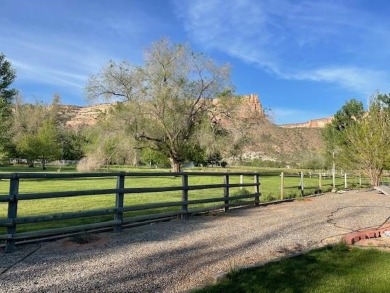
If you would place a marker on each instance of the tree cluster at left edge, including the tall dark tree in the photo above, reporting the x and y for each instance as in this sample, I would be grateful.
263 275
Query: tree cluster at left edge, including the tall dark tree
33 131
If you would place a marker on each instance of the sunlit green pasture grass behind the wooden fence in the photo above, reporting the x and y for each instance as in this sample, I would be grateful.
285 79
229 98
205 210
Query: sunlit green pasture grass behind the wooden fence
270 189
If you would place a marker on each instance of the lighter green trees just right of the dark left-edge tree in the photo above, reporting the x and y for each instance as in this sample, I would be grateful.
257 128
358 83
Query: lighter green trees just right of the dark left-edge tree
37 132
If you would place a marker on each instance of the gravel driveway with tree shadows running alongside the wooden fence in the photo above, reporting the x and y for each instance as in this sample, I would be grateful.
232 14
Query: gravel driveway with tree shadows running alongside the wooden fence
178 256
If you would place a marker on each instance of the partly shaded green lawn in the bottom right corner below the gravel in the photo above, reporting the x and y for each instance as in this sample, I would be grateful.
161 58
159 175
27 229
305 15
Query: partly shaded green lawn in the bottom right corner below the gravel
337 269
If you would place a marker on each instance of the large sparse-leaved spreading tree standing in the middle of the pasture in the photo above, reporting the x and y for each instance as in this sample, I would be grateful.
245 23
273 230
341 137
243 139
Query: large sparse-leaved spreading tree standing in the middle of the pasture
167 100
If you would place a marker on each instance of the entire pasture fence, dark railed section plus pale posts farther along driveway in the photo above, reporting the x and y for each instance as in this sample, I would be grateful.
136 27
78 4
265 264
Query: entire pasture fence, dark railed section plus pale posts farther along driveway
45 205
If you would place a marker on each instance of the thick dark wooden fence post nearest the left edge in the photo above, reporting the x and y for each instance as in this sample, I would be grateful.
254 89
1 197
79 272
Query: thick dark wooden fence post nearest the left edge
12 212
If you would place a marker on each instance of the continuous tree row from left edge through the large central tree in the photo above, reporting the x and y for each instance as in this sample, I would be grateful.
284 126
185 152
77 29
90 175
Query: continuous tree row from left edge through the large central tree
179 106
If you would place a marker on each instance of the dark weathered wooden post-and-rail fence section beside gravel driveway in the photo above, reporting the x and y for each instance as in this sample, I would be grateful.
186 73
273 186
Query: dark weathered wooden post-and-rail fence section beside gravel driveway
119 214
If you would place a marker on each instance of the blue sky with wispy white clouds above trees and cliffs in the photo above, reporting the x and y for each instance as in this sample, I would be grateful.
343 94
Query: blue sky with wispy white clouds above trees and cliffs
304 59
